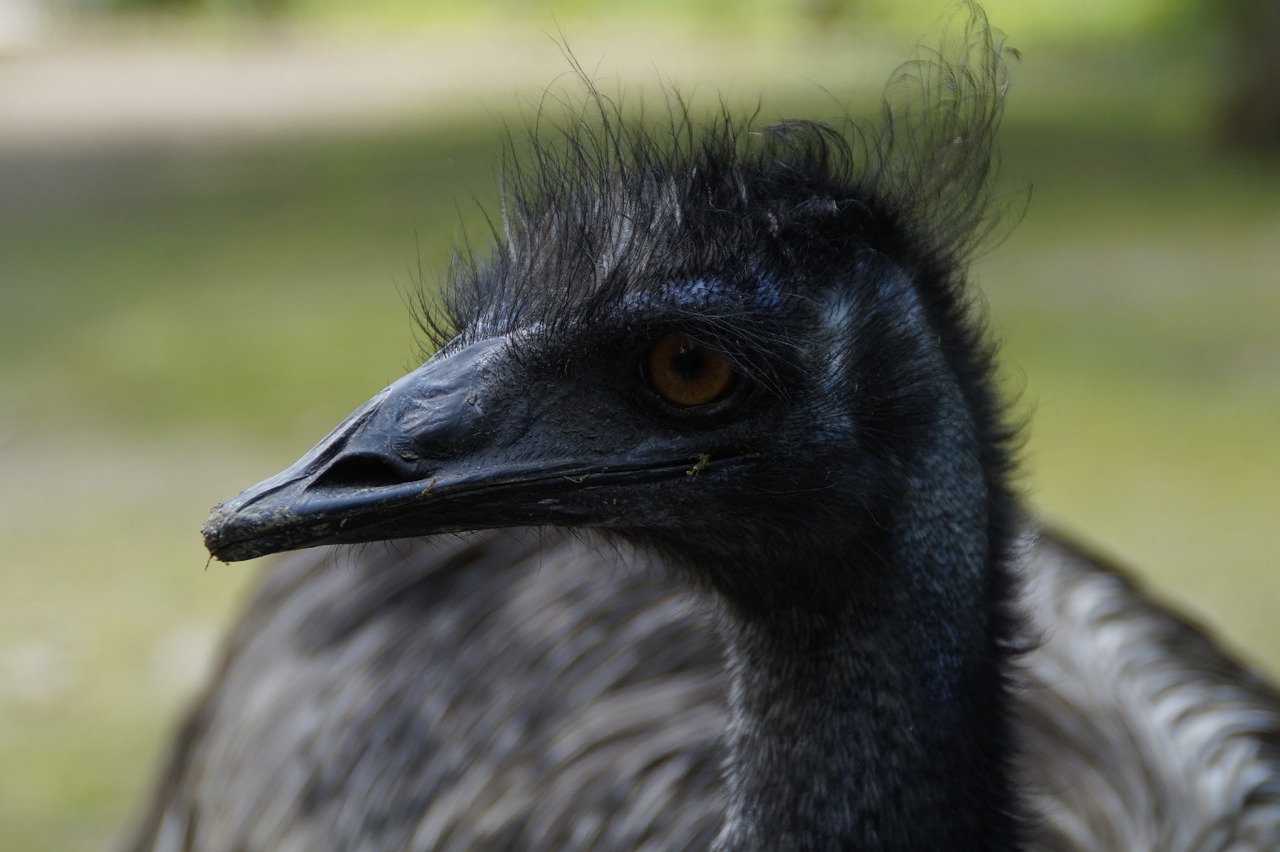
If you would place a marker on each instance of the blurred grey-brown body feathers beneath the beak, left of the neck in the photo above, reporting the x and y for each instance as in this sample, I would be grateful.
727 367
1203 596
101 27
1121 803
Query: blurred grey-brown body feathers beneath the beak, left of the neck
586 711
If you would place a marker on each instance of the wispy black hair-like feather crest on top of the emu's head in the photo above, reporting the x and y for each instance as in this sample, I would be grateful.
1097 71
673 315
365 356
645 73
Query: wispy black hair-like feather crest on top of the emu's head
607 204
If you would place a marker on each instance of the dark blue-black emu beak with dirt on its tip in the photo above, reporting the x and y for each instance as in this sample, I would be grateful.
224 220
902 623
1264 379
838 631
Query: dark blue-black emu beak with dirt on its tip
447 448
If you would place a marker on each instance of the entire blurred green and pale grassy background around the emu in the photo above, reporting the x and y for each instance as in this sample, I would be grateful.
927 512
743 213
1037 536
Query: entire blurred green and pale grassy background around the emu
213 218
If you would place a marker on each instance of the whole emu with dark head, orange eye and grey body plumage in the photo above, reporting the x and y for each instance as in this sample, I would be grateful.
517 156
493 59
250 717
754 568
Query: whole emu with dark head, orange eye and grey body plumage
700 530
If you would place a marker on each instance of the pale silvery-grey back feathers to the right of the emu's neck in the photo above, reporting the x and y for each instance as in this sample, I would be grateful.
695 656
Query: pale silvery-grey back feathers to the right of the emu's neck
1139 732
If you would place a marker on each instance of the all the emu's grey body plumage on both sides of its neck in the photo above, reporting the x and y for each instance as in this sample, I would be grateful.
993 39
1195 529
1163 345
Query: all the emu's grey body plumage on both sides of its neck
534 691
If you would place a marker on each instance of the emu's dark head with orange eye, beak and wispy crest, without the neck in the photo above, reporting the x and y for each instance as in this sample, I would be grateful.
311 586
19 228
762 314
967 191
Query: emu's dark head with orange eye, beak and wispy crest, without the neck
710 340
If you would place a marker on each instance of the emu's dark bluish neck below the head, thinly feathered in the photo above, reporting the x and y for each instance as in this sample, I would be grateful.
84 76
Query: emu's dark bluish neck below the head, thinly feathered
880 722
